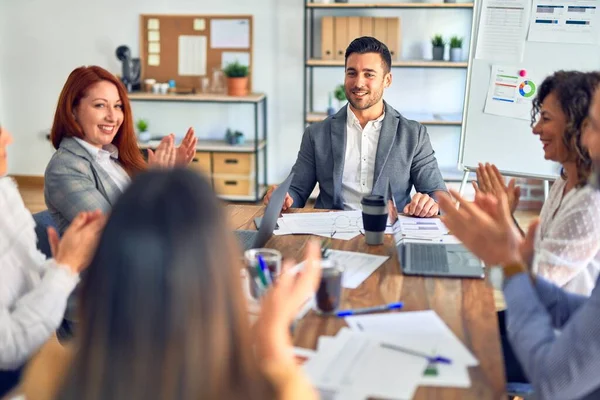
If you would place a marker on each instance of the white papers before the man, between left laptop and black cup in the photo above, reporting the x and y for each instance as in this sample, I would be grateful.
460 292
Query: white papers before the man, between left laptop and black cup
344 225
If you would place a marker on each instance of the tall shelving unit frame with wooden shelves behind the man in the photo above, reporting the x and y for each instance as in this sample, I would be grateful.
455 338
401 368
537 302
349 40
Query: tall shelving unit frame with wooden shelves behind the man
311 62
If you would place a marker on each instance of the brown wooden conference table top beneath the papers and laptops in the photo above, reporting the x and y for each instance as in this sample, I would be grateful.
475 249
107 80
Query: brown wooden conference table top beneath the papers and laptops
466 306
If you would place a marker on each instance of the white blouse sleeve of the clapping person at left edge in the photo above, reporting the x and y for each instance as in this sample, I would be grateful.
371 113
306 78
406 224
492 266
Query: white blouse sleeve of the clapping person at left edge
33 290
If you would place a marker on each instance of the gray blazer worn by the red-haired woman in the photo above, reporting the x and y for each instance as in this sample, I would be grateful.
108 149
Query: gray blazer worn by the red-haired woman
75 182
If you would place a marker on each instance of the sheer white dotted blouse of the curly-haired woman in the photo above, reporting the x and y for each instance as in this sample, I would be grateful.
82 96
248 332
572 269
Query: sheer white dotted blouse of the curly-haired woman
567 245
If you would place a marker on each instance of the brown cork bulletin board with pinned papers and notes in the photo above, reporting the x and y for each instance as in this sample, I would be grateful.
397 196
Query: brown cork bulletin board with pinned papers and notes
187 48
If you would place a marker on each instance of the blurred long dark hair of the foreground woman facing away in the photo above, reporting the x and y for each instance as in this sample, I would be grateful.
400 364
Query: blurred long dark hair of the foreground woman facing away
162 308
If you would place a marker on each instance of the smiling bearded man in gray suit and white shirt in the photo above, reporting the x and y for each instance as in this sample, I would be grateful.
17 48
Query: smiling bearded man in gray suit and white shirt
366 144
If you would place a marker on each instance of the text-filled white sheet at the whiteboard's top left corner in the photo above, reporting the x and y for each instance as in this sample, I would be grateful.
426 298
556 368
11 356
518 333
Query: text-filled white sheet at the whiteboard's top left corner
502 30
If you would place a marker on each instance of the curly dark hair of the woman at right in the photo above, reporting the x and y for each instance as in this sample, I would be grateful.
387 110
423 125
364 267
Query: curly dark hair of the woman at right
574 91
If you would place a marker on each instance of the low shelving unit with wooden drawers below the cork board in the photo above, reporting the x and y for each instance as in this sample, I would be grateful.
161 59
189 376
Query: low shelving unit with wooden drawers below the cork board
231 168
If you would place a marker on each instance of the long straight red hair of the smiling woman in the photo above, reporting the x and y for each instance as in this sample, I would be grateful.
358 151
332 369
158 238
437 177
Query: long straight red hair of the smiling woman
65 125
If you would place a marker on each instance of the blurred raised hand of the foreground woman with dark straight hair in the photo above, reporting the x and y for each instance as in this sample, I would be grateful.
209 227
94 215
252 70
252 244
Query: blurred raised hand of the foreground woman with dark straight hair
280 305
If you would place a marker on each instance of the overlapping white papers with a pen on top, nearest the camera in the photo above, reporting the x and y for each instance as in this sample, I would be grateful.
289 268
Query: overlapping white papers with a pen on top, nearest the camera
356 364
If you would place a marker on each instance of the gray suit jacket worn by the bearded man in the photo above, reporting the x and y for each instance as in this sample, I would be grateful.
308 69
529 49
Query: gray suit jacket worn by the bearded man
404 156
